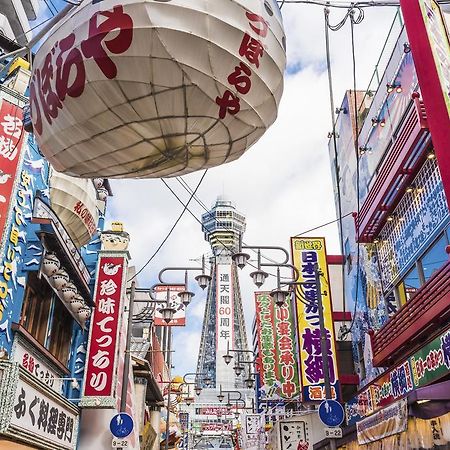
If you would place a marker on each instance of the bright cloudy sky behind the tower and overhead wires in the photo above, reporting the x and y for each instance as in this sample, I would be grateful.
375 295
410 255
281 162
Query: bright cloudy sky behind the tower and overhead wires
282 184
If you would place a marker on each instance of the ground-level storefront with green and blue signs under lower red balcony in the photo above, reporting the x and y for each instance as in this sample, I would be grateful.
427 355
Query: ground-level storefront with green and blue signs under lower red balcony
408 406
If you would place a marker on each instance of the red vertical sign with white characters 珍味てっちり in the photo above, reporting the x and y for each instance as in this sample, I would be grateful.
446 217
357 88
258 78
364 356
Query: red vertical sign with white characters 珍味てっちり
100 377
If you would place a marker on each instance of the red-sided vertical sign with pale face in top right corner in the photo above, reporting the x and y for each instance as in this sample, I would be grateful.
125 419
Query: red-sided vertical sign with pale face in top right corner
429 42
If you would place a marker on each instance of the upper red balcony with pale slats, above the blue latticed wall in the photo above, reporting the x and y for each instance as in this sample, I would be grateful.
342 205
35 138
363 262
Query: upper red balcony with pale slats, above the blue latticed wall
401 163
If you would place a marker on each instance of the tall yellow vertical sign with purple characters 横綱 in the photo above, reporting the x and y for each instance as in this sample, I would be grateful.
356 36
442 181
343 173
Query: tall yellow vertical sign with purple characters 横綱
307 252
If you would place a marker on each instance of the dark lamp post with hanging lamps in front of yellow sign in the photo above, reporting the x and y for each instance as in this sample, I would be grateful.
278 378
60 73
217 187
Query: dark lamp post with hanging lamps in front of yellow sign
280 296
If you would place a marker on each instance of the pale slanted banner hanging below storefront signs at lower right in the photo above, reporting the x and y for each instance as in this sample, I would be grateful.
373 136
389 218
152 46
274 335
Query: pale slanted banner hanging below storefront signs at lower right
391 420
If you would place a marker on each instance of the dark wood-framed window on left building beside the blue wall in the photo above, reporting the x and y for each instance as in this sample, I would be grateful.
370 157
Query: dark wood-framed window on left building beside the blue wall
46 318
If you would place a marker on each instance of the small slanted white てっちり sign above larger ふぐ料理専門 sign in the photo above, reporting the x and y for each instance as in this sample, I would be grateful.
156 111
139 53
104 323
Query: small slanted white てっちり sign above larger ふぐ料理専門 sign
32 361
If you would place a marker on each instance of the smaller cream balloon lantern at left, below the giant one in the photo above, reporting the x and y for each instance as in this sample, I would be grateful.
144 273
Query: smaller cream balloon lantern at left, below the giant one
74 200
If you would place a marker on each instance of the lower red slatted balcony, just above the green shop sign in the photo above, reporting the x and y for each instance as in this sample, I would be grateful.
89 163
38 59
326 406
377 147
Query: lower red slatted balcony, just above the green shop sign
416 321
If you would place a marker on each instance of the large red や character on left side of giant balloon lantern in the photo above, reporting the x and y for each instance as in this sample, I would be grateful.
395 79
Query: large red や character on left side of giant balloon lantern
92 47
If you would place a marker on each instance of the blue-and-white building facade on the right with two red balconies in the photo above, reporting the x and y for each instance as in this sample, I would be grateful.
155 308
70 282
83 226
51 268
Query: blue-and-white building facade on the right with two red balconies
392 198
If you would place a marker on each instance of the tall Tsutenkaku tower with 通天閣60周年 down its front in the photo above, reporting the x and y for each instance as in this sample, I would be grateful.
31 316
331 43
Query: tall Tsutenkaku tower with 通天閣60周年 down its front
223 323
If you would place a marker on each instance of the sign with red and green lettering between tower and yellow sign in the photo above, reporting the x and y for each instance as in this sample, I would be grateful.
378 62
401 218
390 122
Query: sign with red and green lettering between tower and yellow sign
277 347
